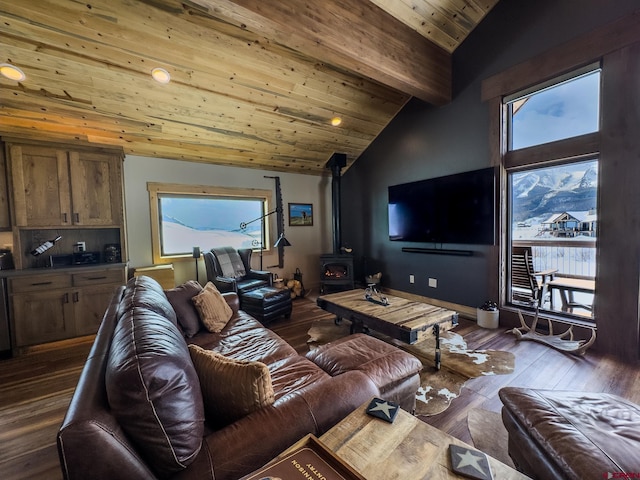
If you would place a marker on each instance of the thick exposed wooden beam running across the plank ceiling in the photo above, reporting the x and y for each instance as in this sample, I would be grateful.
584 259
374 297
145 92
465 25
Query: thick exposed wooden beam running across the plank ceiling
354 35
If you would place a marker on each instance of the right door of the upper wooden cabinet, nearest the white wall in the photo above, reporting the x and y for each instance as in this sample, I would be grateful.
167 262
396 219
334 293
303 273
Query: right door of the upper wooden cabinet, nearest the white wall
95 188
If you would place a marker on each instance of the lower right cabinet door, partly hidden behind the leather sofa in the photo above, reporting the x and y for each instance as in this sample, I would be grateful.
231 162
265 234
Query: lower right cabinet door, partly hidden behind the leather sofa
90 304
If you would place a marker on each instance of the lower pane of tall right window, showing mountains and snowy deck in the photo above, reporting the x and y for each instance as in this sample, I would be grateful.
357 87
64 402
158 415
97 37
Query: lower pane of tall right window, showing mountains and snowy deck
554 219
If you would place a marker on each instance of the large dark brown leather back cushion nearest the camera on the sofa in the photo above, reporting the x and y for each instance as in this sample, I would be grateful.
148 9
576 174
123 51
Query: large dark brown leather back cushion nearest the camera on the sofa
154 391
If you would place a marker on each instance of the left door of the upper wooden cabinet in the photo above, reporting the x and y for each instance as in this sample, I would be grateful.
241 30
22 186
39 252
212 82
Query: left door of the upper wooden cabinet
41 192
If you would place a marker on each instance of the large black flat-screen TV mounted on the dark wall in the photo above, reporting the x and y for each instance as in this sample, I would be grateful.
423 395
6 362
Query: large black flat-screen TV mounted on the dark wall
457 208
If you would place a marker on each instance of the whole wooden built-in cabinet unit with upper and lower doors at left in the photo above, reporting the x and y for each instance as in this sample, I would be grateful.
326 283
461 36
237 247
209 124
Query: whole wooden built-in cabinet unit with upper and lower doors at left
73 192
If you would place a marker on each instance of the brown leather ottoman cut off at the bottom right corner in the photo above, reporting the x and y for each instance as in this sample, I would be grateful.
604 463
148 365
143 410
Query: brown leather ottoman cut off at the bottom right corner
572 435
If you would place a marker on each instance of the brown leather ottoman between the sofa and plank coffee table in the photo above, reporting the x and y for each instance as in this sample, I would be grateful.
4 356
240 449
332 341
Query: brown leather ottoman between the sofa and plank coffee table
395 372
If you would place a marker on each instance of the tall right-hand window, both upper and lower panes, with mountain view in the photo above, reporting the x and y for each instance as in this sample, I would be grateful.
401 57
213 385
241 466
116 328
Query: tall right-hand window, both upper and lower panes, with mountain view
553 211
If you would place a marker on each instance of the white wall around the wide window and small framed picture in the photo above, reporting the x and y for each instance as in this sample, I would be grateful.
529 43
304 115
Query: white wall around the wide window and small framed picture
307 242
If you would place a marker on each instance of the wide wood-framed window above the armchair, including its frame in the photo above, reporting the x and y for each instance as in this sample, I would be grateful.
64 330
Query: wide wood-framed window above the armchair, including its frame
186 216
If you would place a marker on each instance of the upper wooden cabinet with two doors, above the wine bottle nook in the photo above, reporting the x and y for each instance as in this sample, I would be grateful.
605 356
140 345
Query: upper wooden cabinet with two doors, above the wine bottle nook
54 186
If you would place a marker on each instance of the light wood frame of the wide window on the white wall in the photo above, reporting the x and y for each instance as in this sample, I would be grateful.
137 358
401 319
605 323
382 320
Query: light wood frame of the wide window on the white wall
156 190
